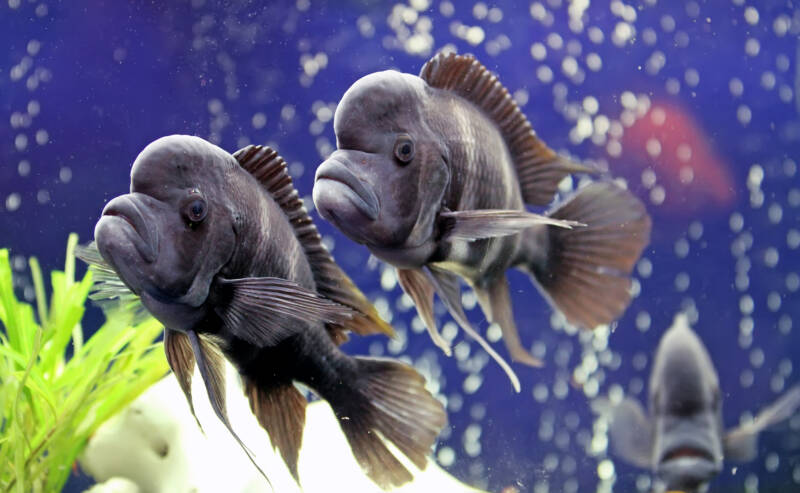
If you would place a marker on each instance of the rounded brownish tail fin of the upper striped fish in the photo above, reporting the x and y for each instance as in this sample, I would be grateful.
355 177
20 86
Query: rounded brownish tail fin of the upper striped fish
586 272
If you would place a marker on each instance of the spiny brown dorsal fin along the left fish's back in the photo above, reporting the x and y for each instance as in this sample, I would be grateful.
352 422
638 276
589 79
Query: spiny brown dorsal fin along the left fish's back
271 171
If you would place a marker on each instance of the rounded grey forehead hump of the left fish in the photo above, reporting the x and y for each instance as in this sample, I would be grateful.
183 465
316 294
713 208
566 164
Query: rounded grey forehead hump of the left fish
178 160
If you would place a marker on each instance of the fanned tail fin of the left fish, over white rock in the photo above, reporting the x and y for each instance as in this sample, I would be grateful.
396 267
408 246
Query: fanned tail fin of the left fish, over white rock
391 400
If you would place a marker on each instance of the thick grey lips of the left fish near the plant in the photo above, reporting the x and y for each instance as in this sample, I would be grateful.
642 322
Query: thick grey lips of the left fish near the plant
123 219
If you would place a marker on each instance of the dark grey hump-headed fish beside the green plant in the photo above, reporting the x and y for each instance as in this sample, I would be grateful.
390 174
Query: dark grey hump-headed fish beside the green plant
220 249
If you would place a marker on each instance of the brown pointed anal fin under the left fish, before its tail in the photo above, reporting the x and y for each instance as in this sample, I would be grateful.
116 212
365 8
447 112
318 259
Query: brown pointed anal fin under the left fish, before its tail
281 410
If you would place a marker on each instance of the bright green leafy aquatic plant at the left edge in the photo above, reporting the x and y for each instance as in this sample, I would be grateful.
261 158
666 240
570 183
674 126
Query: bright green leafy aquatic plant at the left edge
51 403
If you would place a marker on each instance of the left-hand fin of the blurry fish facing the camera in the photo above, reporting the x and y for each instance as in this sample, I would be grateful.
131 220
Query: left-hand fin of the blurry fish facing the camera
630 430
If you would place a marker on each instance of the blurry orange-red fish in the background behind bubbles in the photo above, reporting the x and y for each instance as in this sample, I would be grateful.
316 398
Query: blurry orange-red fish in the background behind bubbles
669 141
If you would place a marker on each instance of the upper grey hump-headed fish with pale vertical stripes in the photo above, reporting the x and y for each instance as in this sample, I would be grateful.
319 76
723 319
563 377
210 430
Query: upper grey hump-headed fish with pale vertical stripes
432 174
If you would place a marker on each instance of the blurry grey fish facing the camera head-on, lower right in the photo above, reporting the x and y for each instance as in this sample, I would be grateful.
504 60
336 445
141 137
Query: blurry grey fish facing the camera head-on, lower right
683 440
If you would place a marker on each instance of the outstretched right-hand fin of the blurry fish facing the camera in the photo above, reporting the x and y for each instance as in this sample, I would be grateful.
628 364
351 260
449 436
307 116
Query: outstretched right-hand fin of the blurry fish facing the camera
741 443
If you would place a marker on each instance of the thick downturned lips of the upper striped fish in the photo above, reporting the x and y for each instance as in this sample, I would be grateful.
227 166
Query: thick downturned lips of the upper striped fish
334 181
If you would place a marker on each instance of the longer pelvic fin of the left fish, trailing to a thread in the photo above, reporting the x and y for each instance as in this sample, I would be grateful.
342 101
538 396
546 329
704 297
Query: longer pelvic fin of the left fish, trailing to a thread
211 364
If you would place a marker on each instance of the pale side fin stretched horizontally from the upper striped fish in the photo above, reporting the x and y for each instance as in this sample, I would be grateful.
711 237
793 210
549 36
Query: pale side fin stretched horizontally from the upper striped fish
488 223
